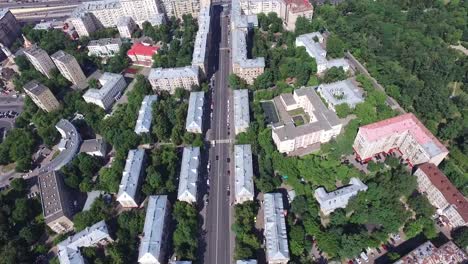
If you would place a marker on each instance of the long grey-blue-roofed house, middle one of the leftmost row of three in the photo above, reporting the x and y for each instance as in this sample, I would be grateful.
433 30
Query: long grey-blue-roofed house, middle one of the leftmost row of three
127 195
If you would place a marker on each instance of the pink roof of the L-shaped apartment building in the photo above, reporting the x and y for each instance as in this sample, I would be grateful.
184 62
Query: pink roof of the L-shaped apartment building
407 122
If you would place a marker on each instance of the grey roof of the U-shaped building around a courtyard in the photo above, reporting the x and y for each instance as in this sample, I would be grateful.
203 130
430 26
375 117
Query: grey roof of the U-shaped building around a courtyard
325 118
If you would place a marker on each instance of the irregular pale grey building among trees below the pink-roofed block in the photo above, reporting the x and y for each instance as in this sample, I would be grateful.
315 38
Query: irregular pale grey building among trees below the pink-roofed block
330 201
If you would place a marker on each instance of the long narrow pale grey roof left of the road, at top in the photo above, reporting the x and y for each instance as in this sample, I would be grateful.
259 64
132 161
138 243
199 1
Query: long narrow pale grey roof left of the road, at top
200 46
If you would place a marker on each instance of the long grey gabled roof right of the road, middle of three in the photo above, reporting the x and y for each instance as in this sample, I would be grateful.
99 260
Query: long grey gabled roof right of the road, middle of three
244 186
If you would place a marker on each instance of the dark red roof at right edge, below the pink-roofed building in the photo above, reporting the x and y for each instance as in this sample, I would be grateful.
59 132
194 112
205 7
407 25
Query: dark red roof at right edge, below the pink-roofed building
448 190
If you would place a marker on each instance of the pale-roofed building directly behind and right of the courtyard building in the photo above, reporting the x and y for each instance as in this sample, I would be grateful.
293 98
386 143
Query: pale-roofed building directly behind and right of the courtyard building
341 92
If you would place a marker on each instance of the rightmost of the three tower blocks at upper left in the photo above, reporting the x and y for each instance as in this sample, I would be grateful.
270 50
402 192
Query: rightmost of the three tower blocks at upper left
68 67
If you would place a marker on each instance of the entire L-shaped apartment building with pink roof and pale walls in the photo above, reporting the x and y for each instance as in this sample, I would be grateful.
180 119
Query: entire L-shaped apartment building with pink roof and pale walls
404 134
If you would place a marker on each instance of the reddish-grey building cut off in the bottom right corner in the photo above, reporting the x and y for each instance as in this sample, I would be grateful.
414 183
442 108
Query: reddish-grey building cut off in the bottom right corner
427 253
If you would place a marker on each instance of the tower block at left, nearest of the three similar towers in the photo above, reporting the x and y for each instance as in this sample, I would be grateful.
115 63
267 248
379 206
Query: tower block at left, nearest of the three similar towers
41 96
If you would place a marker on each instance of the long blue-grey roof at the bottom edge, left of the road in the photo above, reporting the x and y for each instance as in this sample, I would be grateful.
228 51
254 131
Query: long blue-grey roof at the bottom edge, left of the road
150 246
